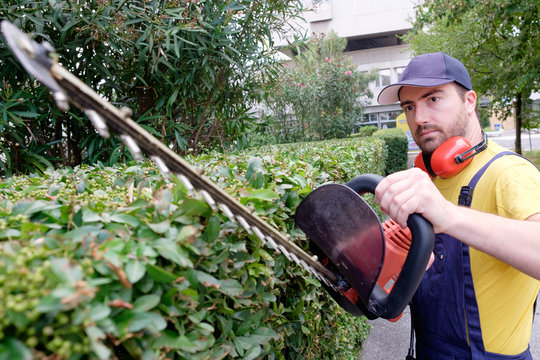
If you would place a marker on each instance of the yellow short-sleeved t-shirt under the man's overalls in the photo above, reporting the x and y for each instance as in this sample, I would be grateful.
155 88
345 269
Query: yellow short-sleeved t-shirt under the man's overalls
510 187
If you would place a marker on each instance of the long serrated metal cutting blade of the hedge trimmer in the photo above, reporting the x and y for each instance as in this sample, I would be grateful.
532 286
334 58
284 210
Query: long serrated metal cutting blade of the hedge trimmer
39 61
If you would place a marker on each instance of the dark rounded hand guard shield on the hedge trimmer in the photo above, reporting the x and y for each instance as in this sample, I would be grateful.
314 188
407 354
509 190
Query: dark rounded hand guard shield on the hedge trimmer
348 231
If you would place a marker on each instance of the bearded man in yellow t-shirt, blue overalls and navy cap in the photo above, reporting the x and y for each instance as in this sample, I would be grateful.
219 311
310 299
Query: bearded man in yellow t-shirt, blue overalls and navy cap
476 301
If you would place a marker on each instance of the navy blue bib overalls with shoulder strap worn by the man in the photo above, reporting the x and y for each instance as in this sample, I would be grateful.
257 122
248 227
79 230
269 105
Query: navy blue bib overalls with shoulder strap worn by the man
444 309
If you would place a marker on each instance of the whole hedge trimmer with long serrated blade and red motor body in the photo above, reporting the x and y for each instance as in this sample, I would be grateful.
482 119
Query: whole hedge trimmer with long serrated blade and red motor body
347 241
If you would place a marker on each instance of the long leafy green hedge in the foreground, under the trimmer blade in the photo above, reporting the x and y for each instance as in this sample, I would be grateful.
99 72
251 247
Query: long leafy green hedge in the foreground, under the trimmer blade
104 262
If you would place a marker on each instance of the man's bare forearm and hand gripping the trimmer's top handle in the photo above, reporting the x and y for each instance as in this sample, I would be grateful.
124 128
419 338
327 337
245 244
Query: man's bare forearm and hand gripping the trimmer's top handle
514 242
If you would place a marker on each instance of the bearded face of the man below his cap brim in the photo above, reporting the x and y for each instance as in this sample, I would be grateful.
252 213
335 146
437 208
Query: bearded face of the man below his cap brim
434 114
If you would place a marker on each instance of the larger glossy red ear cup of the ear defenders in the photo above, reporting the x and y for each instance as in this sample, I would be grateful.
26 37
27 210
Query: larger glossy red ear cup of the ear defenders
443 160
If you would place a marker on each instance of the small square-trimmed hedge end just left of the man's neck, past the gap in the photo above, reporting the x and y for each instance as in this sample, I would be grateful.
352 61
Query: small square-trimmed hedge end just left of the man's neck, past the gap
396 147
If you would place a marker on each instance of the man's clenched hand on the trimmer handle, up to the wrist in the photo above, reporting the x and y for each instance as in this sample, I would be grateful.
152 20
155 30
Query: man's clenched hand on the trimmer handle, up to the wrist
412 191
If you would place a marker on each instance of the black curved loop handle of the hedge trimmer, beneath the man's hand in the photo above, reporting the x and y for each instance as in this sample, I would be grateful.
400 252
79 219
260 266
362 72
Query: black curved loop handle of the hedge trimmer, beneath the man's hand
389 306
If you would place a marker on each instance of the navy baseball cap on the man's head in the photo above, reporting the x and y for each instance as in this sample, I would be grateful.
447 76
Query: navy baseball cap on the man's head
426 71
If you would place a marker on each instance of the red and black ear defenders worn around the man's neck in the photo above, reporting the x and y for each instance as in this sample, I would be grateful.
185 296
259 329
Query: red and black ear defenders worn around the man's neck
450 157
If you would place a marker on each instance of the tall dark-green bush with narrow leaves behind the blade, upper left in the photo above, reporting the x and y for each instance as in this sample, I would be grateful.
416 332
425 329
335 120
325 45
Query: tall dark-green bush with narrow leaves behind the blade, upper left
190 70
